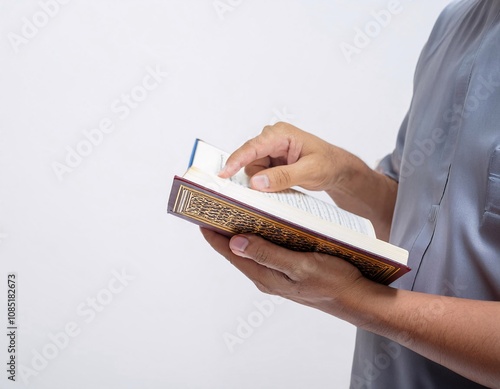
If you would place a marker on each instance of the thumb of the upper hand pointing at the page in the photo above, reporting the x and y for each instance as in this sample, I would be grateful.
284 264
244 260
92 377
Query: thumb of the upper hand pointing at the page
281 177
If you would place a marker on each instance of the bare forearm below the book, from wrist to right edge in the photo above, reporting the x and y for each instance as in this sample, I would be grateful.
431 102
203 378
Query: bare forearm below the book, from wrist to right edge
460 334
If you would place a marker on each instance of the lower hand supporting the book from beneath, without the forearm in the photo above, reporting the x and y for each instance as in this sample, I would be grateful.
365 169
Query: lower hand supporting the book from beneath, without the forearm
316 280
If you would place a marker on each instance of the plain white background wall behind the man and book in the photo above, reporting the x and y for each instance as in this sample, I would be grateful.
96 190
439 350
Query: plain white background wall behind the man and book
229 73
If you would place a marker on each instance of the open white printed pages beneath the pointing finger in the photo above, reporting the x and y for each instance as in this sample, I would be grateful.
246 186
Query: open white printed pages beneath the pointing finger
211 160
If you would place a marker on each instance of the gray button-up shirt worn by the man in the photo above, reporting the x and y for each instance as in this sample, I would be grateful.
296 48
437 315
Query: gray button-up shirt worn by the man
447 163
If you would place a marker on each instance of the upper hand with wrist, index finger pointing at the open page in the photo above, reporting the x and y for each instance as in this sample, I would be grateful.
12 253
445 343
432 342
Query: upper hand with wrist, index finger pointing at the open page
283 156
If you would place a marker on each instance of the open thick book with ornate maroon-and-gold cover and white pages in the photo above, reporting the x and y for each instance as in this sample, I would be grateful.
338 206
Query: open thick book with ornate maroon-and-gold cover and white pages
291 218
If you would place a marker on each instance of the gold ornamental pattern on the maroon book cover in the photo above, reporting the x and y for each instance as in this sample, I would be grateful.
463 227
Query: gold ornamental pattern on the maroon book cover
372 268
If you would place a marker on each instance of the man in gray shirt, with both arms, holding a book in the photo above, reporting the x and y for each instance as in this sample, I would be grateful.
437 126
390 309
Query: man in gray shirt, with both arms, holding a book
437 195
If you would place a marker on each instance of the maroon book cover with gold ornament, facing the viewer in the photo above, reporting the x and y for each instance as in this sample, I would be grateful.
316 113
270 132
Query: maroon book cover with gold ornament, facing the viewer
208 208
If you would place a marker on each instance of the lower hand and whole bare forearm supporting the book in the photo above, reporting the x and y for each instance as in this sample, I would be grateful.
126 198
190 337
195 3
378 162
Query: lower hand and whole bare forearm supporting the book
460 334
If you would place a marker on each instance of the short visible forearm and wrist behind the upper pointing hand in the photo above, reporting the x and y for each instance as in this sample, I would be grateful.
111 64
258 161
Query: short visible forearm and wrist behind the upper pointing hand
365 192
